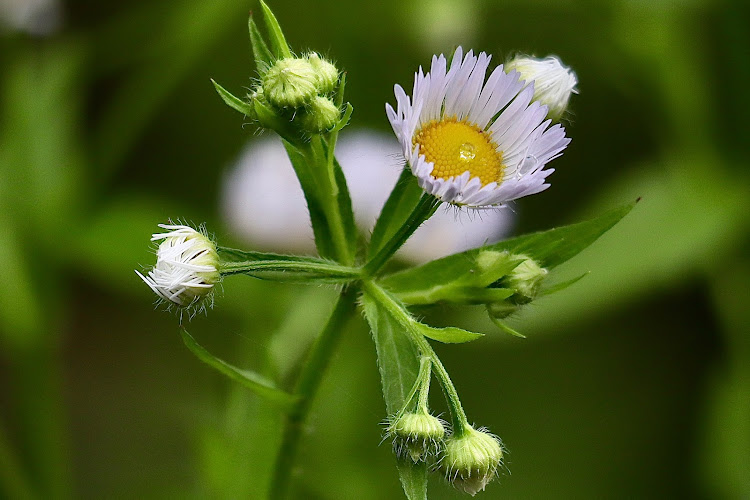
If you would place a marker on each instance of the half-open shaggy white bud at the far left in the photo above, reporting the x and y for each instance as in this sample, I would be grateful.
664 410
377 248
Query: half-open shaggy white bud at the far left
187 266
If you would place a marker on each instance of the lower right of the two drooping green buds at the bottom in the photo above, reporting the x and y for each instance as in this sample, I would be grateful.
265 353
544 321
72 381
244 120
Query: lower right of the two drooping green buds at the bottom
470 460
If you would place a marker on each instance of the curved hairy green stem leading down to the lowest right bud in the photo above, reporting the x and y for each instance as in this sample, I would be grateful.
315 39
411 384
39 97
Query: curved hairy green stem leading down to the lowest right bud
458 416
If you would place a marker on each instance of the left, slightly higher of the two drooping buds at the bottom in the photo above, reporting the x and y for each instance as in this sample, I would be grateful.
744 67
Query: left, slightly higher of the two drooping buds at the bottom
416 435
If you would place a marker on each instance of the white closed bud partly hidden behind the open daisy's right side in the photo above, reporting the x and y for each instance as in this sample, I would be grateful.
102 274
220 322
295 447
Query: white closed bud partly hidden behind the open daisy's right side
553 82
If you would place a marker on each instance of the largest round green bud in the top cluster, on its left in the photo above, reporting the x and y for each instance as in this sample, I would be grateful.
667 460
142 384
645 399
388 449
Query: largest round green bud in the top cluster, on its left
290 83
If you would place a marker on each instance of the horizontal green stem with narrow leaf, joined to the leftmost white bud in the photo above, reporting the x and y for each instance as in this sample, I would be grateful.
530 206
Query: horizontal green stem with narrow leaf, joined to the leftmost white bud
287 268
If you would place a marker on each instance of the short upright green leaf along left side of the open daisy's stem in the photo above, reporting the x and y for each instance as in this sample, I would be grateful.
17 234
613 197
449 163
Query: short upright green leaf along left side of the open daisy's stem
403 199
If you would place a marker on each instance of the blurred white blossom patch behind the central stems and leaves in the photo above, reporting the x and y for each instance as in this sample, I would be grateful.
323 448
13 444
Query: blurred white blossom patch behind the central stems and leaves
263 204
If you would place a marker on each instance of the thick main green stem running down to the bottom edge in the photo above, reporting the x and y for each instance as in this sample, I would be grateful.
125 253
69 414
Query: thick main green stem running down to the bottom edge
307 385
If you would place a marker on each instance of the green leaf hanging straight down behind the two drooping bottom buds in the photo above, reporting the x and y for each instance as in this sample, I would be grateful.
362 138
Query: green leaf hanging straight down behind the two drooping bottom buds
398 363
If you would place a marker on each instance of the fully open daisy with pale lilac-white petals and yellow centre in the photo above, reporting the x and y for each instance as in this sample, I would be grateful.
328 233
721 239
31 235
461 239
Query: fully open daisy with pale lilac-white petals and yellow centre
471 142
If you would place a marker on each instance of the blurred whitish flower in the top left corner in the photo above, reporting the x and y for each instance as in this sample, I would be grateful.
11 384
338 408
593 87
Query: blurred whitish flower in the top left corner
35 17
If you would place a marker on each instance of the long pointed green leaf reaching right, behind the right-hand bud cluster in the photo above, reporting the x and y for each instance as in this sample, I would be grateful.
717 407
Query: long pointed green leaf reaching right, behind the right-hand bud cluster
549 248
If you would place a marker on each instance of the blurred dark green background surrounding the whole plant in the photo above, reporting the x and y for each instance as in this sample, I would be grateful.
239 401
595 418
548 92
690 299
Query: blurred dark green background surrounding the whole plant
635 383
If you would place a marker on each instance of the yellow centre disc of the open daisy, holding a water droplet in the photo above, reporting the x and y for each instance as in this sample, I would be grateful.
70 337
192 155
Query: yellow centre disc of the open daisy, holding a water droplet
455 147
